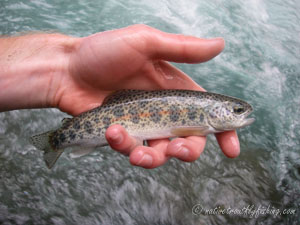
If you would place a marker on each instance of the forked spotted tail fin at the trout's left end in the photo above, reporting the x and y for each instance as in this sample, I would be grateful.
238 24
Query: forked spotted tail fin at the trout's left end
42 142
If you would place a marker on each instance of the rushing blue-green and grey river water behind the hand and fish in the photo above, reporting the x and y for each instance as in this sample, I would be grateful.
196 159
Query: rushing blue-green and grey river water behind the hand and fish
261 64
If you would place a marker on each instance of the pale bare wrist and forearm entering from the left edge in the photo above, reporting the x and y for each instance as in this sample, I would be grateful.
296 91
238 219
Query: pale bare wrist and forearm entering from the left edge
32 68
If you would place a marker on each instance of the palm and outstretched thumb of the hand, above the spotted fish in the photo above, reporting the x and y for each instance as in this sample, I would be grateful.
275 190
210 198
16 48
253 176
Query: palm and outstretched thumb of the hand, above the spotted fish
129 58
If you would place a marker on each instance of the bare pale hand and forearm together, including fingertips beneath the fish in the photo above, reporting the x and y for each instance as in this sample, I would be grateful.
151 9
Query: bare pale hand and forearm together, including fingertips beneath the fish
76 74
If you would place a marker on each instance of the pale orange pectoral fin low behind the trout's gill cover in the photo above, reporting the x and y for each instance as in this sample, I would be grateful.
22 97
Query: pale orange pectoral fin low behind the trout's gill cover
191 131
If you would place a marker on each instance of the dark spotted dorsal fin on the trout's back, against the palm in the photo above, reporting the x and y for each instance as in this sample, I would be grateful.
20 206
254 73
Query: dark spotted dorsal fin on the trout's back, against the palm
123 96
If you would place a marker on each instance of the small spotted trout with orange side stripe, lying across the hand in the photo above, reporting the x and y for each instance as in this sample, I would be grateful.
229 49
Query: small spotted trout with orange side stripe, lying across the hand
146 115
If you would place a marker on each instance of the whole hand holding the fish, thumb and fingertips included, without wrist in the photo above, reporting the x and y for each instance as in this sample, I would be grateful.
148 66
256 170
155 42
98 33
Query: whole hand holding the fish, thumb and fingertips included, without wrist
135 58
